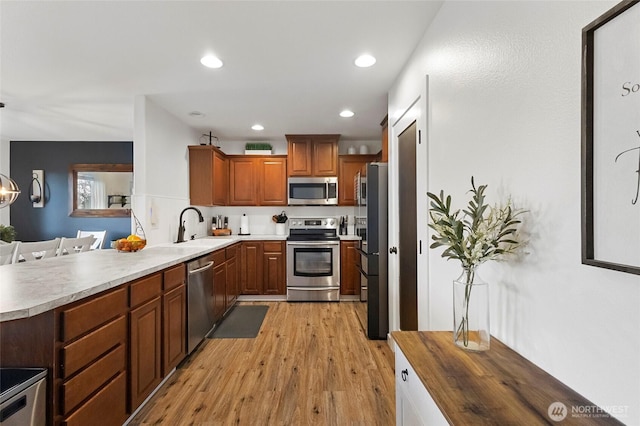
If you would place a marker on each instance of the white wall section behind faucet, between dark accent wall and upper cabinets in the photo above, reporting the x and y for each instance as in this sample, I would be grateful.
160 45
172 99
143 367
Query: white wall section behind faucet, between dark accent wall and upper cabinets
161 172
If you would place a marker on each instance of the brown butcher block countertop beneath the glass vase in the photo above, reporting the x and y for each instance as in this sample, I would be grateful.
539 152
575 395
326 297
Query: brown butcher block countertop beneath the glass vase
497 387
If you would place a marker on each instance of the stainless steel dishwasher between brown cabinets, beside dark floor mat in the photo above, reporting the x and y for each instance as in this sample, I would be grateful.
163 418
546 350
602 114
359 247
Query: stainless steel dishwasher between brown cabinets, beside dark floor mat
200 317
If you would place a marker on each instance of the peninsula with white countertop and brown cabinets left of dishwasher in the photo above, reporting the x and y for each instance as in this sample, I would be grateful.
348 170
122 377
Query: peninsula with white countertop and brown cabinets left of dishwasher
108 326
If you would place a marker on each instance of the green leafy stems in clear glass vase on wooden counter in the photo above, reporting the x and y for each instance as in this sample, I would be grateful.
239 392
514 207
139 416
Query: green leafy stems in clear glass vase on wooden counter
476 234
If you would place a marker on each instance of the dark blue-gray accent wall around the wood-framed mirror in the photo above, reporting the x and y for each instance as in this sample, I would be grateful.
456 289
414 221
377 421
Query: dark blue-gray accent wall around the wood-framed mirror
53 220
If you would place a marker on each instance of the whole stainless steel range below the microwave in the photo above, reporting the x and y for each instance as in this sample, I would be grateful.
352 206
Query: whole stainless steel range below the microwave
313 260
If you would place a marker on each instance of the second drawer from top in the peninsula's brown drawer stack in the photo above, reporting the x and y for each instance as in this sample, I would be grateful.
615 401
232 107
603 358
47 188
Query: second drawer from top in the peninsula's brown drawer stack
85 350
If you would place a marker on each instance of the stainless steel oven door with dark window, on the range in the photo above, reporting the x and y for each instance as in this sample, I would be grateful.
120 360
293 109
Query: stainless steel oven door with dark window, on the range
313 264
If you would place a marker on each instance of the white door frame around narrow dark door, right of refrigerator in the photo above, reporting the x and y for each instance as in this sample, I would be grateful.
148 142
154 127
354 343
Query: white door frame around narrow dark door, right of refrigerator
417 111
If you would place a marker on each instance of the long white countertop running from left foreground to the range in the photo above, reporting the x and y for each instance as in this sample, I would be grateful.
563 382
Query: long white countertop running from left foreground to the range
31 288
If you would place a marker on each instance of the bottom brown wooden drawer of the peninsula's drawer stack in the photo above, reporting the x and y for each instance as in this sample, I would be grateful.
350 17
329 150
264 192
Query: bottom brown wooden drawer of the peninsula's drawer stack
107 407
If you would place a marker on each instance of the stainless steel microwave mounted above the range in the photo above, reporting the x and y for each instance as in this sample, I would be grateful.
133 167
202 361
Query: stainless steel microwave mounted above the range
313 191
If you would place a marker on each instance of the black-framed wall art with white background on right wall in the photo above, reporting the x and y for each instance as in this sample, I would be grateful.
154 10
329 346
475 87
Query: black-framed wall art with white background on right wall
611 139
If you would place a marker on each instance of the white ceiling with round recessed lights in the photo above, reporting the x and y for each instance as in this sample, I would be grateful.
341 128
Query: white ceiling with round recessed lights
70 70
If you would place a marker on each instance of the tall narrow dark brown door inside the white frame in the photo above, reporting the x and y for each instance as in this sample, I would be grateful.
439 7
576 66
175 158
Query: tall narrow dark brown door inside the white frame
408 247
